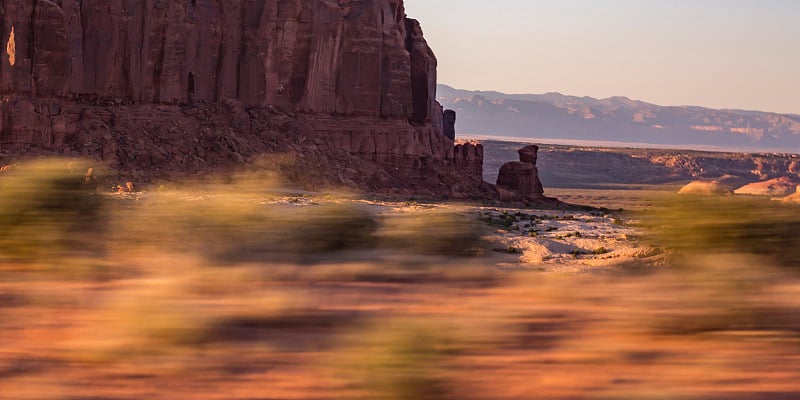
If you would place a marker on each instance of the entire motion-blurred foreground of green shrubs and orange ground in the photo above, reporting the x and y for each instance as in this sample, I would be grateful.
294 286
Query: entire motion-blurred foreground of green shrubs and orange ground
235 290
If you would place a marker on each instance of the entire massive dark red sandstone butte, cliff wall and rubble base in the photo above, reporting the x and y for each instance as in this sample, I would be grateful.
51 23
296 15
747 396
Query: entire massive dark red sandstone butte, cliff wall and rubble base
159 89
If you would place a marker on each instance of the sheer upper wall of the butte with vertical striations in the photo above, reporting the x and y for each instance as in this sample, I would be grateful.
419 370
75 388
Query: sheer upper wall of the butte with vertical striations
345 57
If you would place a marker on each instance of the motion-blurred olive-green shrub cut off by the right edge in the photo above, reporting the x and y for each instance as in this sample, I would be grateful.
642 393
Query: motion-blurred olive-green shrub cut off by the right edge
718 225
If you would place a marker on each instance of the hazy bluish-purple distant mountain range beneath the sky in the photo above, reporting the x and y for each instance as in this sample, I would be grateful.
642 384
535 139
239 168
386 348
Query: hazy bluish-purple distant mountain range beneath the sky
558 117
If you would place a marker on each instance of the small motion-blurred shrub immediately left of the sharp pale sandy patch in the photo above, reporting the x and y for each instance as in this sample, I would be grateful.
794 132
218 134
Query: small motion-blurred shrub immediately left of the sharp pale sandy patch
433 232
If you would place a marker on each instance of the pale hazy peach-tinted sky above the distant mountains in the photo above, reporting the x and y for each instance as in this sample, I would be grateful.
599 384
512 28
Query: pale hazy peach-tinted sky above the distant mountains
716 53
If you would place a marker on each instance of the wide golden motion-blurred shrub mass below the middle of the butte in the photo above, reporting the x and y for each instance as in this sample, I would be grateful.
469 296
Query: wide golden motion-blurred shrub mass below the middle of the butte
231 227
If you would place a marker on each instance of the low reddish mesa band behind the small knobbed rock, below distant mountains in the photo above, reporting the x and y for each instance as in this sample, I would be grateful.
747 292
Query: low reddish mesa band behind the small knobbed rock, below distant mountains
602 167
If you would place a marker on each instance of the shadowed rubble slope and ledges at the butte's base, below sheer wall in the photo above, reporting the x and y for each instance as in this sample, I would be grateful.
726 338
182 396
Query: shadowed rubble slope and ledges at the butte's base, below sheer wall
147 144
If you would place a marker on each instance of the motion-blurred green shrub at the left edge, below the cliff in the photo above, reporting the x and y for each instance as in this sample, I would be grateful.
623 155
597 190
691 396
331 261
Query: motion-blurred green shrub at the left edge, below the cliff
49 209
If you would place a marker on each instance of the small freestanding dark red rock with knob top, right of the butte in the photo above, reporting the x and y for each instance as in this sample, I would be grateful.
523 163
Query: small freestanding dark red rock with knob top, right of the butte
522 177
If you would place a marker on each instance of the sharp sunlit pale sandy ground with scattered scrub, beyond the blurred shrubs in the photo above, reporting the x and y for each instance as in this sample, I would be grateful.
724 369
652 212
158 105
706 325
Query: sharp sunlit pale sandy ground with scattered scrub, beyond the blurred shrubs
546 240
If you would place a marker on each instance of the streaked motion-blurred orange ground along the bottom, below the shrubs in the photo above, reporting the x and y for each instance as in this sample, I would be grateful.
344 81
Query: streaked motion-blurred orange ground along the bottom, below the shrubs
493 337
